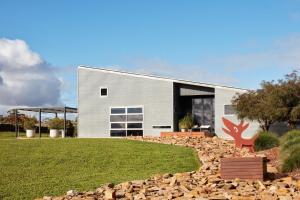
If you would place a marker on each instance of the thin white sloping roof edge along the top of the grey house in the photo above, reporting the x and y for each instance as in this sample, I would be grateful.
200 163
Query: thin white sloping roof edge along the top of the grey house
161 78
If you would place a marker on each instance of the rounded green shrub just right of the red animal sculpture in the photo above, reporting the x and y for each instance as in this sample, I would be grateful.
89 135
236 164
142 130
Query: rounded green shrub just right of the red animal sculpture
266 140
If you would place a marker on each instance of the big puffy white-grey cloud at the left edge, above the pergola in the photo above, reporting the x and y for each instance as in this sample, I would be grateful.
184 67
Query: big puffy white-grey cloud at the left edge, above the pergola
25 78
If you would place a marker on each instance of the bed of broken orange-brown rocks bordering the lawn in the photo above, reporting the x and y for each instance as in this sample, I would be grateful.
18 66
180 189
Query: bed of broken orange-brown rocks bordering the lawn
203 184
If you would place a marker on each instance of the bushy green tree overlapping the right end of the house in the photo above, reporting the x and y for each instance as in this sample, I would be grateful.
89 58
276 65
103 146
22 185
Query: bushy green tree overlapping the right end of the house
274 102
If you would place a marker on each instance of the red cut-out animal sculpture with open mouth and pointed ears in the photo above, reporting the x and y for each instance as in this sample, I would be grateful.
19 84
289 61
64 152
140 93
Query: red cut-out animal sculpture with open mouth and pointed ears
236 131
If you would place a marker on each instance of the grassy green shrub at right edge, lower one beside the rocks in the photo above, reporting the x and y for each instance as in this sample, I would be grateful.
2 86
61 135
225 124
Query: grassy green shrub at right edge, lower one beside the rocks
292 162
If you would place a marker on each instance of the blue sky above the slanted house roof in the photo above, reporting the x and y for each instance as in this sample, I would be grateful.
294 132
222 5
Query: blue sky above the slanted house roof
237 43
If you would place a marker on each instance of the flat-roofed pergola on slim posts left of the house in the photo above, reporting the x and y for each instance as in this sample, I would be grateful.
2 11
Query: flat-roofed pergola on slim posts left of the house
40 110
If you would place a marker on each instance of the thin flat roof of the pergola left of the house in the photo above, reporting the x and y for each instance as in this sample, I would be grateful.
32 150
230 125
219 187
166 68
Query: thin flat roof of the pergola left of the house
46 109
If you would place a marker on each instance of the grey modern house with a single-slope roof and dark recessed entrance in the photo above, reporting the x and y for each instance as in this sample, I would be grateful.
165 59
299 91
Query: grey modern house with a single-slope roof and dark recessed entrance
116 104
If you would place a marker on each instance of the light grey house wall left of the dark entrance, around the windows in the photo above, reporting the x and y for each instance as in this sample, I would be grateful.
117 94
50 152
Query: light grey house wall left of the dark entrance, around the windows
123 90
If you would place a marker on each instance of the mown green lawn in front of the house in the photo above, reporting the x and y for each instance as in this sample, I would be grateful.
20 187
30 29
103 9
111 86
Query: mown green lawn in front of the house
38 167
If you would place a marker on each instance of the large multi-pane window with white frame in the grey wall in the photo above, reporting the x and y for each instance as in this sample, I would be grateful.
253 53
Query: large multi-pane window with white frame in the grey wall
126 121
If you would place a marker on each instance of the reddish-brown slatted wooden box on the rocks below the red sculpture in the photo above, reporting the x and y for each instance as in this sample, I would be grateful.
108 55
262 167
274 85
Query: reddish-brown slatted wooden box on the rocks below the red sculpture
246 168
